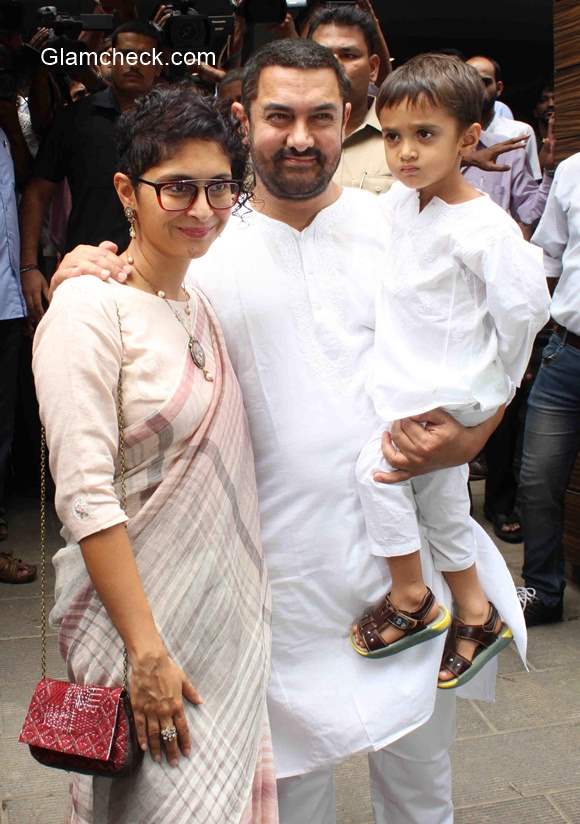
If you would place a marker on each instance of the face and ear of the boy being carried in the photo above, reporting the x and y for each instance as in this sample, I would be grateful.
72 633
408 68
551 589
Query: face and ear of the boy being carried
424 143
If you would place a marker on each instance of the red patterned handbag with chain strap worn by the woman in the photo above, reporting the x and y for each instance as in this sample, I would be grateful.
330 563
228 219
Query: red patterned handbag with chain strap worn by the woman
84 728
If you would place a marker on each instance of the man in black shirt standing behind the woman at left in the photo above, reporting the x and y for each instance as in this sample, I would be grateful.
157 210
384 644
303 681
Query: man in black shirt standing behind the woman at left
80 147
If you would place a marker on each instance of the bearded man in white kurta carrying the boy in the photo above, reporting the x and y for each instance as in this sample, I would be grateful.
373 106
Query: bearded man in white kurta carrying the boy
293 283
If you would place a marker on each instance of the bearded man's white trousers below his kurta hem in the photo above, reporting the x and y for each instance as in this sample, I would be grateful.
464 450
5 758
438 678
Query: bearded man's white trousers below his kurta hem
410 781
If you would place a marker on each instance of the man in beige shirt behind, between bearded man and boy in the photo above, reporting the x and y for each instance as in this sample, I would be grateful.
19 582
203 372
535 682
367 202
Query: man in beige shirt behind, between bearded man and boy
350 34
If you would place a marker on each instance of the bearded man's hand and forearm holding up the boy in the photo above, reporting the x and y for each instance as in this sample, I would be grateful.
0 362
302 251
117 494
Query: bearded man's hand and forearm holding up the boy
434 440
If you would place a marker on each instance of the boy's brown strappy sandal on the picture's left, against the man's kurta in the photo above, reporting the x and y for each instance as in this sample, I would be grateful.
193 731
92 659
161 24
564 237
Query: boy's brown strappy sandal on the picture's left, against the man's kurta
412 624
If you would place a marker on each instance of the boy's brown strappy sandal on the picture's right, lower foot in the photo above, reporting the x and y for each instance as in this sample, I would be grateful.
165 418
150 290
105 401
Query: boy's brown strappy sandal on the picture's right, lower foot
489 642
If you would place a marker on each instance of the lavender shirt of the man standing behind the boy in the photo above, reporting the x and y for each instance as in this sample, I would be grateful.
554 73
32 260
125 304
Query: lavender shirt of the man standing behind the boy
516 190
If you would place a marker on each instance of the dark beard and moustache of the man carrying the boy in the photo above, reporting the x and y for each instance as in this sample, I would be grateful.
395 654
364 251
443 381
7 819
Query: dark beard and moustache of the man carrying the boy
295 184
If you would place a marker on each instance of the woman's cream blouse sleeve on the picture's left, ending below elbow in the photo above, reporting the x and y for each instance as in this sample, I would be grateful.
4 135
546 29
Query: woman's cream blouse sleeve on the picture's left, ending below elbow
76 361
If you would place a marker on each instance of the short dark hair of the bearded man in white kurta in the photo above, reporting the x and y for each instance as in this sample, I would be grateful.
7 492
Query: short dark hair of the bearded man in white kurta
293 53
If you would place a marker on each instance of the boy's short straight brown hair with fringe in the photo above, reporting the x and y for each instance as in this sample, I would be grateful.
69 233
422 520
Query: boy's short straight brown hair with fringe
440 80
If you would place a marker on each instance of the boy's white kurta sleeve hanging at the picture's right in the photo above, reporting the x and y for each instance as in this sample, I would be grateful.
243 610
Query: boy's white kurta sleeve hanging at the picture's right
517 295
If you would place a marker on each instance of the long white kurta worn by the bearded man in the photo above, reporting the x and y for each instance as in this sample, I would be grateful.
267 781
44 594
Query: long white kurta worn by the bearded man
297 309
